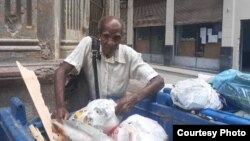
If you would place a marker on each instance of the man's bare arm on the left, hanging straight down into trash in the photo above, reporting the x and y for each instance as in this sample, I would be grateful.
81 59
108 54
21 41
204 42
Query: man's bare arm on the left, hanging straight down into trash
60 80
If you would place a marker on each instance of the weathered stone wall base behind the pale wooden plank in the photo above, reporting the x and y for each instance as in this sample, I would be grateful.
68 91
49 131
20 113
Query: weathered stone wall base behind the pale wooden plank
12 85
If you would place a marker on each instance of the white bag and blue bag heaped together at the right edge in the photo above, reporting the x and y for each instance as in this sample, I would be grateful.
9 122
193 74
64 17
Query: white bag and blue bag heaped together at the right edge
226 91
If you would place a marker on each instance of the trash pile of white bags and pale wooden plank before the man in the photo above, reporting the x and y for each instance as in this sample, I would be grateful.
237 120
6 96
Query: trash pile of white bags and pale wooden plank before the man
95 122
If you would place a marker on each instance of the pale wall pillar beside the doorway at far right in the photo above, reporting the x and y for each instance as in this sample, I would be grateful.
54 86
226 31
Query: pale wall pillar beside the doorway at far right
233 12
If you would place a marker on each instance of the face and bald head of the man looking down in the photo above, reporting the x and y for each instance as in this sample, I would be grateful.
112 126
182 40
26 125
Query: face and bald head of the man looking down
110 37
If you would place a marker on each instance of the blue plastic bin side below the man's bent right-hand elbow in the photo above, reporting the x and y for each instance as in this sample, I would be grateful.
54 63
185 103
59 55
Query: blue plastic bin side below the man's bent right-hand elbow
167 115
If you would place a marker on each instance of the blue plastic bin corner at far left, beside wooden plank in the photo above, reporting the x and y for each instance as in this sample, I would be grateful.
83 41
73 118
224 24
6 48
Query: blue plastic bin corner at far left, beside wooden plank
13 122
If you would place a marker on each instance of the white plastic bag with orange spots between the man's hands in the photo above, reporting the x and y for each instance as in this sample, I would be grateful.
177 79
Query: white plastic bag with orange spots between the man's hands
99 113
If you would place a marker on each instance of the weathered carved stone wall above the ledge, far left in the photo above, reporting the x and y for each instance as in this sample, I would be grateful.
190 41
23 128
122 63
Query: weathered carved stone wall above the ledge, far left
25 41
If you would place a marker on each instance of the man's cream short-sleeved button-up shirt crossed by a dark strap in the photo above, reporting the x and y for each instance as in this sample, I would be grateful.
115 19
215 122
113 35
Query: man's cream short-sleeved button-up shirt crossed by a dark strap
115 72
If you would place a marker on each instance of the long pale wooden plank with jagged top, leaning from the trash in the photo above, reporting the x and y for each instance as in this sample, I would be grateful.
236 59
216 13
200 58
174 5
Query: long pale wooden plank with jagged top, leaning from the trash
34 89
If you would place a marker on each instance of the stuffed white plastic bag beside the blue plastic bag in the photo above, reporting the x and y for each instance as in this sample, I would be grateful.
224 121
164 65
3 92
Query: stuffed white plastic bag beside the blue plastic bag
195 94
